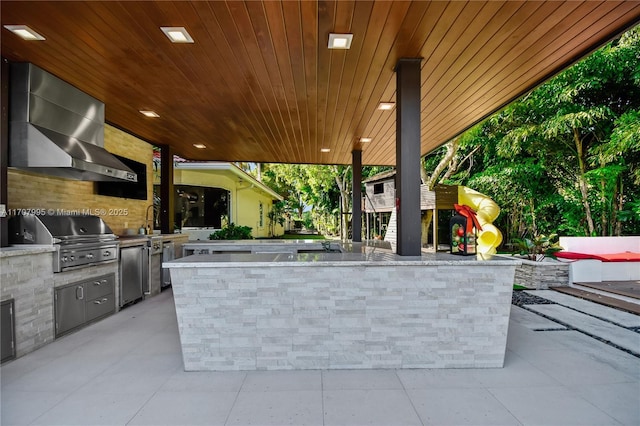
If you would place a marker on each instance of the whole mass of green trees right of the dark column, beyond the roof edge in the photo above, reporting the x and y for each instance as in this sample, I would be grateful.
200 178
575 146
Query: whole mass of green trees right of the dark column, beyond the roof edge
565 157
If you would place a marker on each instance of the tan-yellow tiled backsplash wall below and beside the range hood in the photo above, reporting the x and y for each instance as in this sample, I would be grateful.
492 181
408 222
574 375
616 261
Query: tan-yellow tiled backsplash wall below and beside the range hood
27 190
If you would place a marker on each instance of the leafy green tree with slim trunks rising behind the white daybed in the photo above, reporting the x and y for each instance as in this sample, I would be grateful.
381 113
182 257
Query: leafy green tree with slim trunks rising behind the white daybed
580 127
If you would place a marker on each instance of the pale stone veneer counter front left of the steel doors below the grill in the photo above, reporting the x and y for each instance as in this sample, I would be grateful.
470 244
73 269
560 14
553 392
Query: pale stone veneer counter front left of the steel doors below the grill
29 280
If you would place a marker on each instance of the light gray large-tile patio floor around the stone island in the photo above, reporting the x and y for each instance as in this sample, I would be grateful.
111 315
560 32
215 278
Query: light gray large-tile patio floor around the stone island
127 370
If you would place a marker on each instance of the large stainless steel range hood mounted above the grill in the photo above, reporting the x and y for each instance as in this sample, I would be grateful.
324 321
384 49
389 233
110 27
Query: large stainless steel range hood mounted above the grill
57 129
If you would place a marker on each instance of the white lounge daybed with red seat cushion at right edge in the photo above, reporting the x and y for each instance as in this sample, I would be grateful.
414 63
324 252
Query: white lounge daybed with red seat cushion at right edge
597 259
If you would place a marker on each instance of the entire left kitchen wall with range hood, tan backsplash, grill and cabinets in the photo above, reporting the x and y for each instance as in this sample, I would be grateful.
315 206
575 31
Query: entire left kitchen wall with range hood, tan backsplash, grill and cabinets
80 216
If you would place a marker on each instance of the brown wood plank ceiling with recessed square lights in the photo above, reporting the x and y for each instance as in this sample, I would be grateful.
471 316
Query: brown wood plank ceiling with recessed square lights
259 83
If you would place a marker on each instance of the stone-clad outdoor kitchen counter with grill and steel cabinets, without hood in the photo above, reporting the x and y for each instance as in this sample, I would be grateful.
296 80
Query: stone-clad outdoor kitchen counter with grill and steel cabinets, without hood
63 281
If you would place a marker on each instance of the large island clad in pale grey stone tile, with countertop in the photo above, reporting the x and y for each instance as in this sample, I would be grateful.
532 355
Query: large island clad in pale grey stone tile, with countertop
363 308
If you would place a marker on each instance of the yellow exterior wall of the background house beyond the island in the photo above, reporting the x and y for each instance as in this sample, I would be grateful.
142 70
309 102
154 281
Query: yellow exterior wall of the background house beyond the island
245 199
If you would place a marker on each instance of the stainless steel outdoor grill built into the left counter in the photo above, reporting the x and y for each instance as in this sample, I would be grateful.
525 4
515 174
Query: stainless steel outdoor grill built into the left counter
79 240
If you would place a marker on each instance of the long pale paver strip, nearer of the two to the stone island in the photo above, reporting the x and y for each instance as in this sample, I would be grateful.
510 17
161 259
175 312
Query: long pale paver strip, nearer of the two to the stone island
619 336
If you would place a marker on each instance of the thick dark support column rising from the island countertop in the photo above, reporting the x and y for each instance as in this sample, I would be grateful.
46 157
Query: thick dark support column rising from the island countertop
408 156
